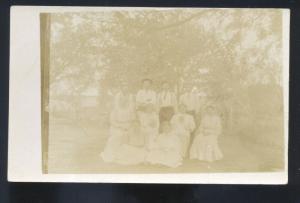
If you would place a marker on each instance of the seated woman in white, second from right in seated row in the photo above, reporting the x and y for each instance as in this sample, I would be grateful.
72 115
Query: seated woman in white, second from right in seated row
184 125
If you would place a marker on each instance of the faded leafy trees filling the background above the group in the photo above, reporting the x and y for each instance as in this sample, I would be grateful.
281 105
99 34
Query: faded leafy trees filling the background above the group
225 52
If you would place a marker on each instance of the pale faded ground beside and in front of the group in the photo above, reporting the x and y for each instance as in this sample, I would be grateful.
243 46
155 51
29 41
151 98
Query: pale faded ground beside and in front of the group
75 148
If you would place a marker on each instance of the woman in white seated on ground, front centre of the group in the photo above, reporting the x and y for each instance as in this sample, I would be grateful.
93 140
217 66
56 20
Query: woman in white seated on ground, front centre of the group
166 149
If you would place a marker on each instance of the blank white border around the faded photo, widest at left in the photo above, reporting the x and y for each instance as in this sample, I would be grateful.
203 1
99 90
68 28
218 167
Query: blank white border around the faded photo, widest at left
24 160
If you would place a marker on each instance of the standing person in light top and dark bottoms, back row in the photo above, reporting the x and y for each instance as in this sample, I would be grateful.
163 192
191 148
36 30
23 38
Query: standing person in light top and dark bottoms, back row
167 103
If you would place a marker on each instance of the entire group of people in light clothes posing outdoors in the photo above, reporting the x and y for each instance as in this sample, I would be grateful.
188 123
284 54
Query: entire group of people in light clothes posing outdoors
153 128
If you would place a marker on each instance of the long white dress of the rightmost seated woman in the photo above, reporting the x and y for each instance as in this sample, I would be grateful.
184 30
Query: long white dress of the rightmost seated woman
205 145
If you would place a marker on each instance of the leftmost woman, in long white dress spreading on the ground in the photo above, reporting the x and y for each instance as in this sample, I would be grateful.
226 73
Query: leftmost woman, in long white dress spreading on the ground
117 149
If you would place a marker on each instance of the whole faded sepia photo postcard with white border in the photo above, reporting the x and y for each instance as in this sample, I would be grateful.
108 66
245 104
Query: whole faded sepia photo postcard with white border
149 95
